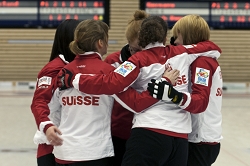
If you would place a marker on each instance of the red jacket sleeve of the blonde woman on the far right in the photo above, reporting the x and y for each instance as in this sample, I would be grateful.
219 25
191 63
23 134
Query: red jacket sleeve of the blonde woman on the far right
202 70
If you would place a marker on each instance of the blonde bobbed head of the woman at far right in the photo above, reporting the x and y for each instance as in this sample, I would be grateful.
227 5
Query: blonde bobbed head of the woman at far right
193 29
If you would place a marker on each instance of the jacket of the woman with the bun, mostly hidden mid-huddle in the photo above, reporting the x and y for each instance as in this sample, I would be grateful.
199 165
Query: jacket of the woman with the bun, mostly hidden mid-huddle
121 118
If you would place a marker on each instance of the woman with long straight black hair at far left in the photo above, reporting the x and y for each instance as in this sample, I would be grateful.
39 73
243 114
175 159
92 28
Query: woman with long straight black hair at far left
60 56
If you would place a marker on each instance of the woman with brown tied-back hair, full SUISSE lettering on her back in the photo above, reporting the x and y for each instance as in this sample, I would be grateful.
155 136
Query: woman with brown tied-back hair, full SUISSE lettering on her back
85 118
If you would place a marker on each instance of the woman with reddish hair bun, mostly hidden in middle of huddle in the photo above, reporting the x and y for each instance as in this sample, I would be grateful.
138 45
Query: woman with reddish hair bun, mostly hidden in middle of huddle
121 118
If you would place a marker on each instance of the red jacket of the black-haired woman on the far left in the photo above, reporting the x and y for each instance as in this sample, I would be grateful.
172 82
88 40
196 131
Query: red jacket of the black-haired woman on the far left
42 96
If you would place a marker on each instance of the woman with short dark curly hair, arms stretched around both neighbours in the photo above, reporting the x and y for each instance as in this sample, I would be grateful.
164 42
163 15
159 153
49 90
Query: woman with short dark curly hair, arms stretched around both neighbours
159 134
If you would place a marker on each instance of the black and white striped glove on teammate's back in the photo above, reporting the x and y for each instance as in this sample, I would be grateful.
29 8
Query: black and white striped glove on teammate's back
164 91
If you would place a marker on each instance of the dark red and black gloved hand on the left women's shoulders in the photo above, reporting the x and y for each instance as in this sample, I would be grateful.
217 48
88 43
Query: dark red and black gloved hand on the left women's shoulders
64 79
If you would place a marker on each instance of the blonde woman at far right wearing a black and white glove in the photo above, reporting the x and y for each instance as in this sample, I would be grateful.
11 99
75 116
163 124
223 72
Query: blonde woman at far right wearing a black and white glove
204 101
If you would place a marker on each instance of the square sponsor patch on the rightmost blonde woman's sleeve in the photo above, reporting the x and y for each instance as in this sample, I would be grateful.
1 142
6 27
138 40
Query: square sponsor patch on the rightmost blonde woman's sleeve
201 76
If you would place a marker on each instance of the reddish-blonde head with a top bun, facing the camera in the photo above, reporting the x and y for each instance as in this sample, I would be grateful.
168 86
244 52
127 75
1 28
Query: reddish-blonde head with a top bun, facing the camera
134 25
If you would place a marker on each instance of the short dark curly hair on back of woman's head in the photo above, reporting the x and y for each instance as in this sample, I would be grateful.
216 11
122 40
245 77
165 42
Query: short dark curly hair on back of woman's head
153 29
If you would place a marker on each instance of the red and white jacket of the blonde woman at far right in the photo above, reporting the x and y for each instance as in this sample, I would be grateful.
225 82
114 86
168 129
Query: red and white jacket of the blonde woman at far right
206 97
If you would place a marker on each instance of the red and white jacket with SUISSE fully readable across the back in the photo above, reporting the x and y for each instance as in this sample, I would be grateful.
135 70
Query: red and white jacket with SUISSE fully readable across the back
85 118
